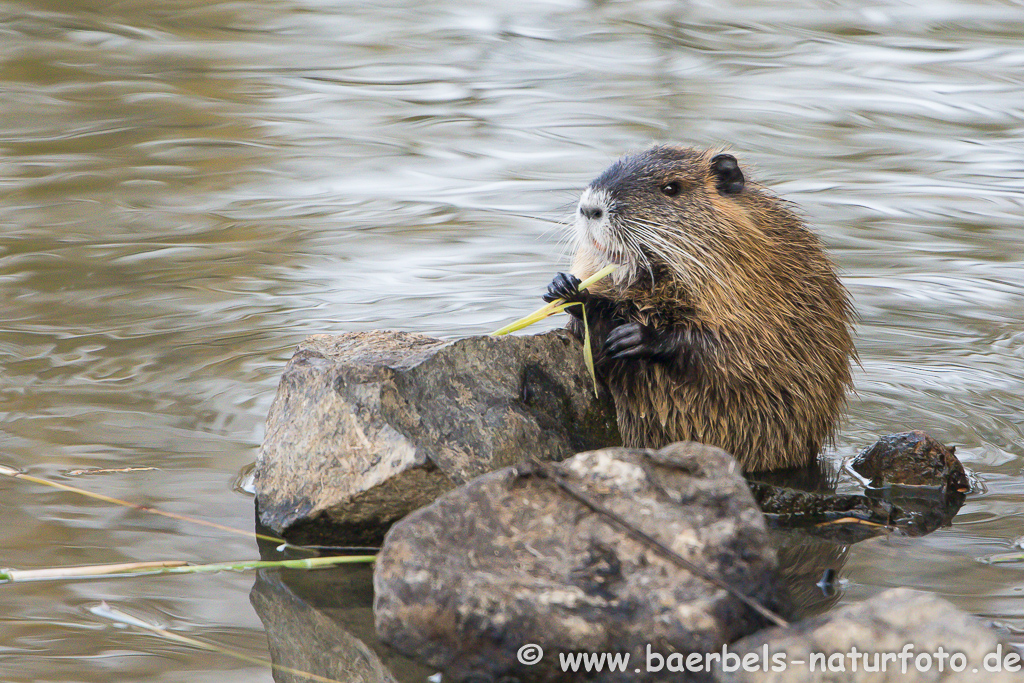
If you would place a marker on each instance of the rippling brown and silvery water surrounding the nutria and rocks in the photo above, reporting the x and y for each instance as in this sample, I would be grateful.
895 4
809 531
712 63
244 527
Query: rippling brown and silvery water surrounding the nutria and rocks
188 189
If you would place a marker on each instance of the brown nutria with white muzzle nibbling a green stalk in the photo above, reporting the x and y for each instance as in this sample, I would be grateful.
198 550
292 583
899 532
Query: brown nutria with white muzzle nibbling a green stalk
727 325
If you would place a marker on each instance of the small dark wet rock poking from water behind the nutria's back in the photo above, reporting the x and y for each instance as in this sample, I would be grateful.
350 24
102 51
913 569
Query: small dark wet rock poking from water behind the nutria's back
912 459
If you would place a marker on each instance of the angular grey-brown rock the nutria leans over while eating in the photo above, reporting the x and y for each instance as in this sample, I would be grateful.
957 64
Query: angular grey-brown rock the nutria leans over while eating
369 426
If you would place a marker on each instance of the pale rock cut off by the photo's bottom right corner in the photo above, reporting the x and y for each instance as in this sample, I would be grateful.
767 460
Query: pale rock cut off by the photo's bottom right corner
885 625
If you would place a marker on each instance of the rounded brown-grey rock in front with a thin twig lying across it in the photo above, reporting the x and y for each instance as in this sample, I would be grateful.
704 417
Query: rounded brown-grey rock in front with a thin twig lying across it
510 561
